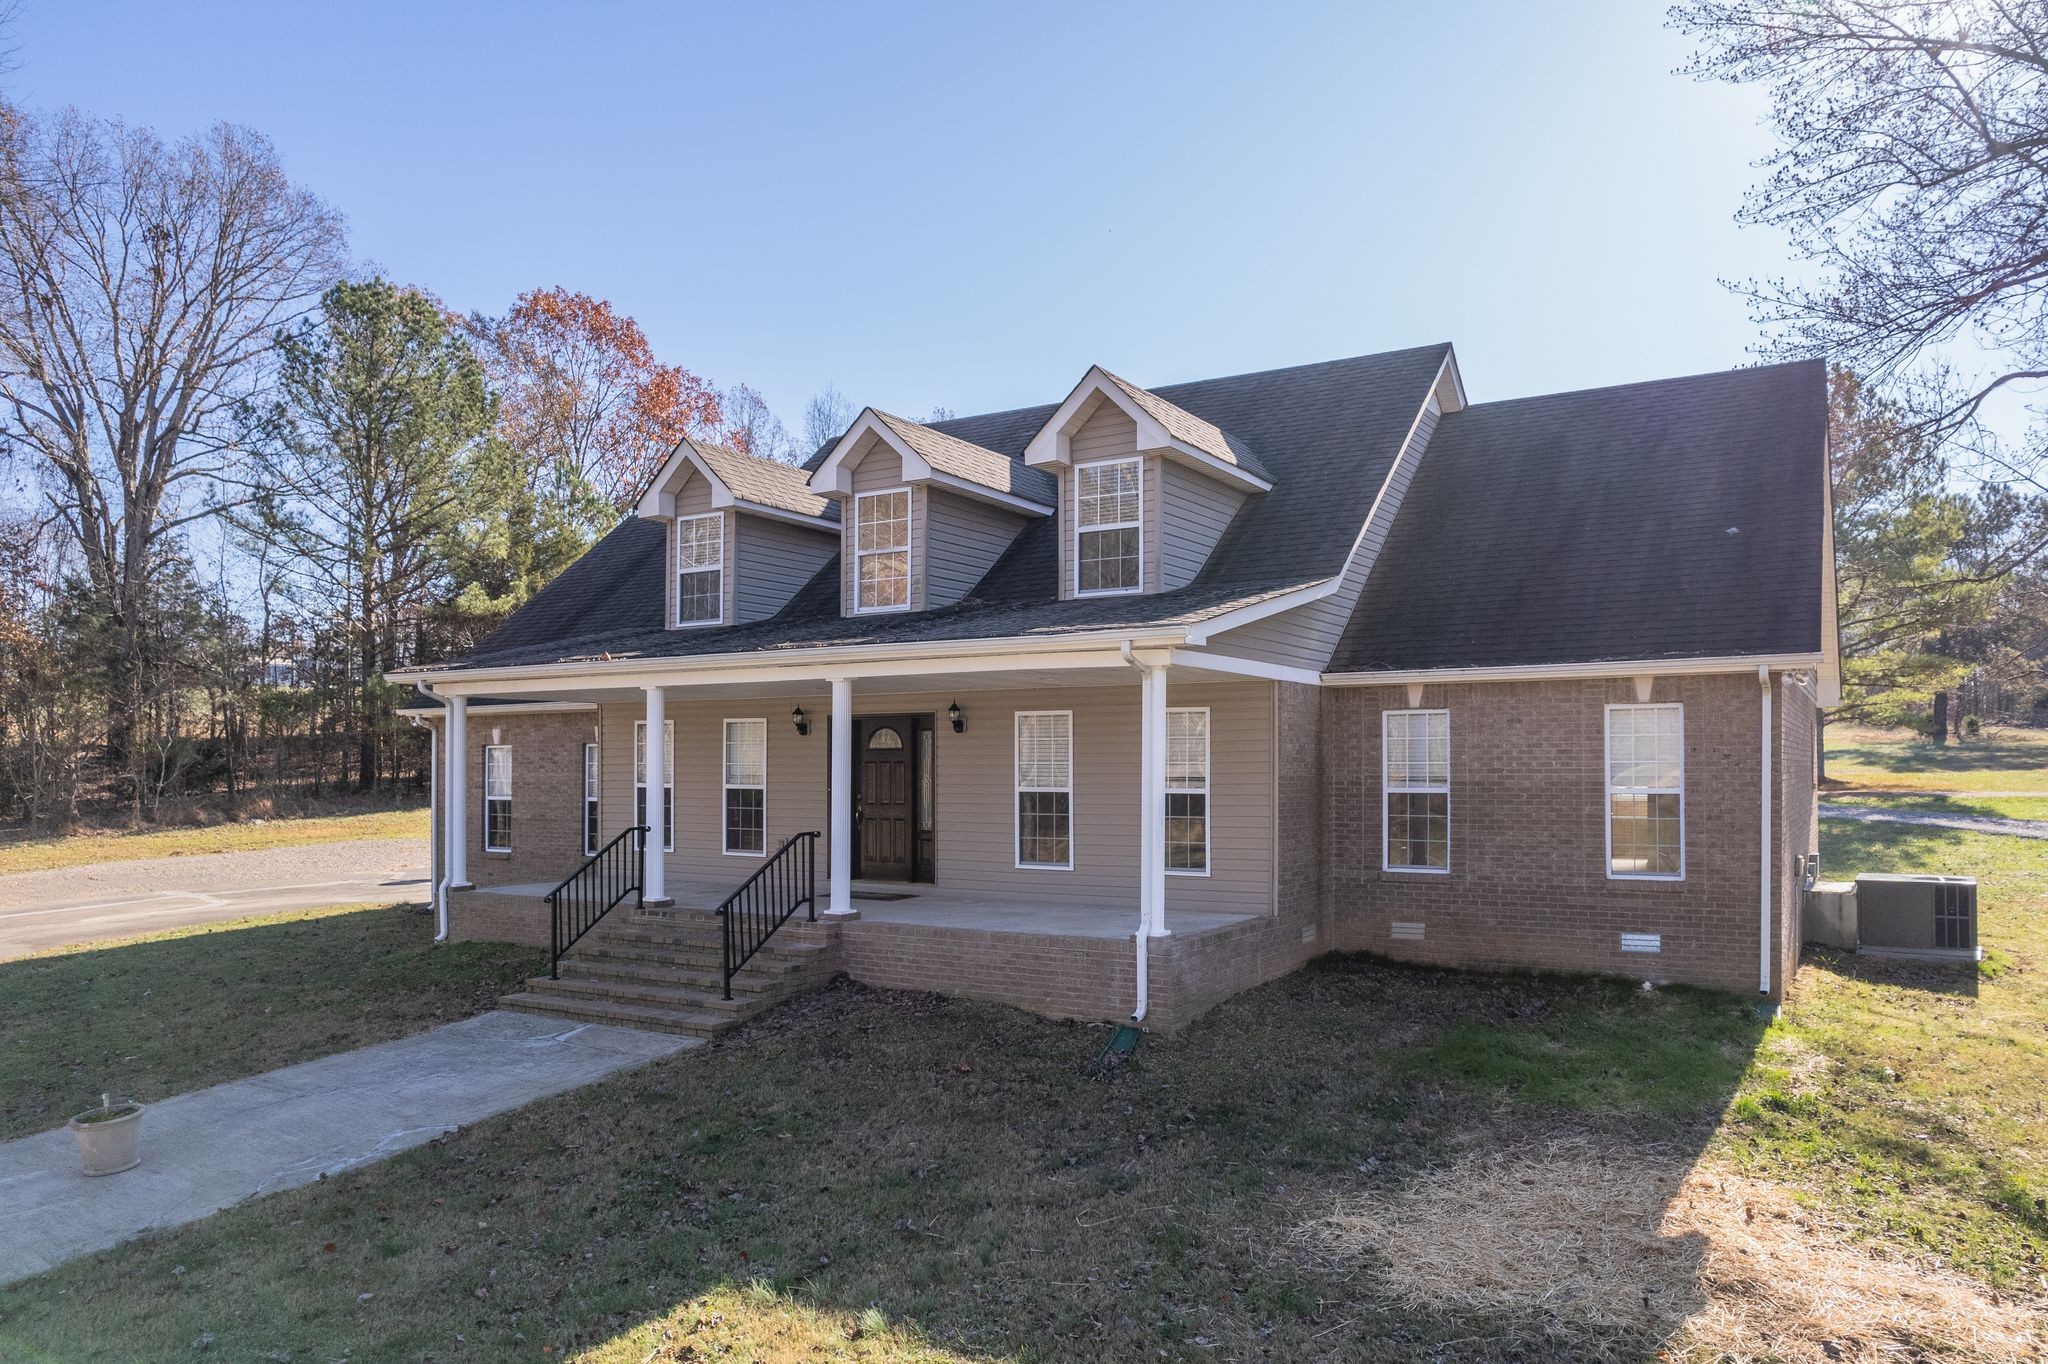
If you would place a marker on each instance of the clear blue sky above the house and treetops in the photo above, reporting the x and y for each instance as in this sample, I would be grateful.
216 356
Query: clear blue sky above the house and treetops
970 204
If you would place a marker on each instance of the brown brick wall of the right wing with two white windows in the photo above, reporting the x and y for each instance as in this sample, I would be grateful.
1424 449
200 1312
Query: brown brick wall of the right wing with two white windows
1527 884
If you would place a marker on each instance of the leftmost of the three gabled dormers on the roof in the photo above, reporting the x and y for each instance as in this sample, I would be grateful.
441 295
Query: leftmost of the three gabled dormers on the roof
742 534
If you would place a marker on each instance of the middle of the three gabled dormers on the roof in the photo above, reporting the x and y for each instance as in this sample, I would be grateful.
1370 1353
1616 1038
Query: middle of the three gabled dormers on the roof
925 515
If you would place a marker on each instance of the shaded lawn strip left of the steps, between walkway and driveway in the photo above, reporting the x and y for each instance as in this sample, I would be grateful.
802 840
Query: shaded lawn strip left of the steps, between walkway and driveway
187 1009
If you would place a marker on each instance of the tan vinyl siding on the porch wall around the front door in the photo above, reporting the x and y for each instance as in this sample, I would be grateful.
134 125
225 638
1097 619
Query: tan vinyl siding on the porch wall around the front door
974 790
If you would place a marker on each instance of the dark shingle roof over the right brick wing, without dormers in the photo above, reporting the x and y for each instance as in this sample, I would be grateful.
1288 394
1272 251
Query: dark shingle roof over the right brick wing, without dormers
1672 519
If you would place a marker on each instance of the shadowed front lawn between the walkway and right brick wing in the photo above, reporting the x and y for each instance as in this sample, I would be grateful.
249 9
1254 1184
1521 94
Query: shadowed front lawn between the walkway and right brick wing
943 1181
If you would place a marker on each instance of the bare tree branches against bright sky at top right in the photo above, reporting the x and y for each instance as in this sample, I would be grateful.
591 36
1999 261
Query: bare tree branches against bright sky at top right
1914 175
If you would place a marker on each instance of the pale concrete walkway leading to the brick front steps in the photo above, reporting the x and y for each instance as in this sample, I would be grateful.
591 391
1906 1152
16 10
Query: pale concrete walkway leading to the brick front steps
214 1148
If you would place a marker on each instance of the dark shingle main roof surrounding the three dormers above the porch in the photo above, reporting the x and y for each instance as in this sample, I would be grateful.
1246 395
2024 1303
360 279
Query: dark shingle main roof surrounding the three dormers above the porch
1326 433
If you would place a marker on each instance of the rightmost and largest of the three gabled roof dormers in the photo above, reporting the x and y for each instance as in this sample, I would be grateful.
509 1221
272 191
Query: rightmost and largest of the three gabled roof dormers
1146 488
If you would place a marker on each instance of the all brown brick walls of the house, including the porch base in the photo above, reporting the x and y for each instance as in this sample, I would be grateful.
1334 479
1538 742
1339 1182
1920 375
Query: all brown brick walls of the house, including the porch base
1527 890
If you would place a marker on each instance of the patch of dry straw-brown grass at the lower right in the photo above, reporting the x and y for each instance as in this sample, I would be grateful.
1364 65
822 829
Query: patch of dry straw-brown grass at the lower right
1574 1238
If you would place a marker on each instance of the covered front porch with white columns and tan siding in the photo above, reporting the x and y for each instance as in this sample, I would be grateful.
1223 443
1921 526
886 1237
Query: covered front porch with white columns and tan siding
996 828
